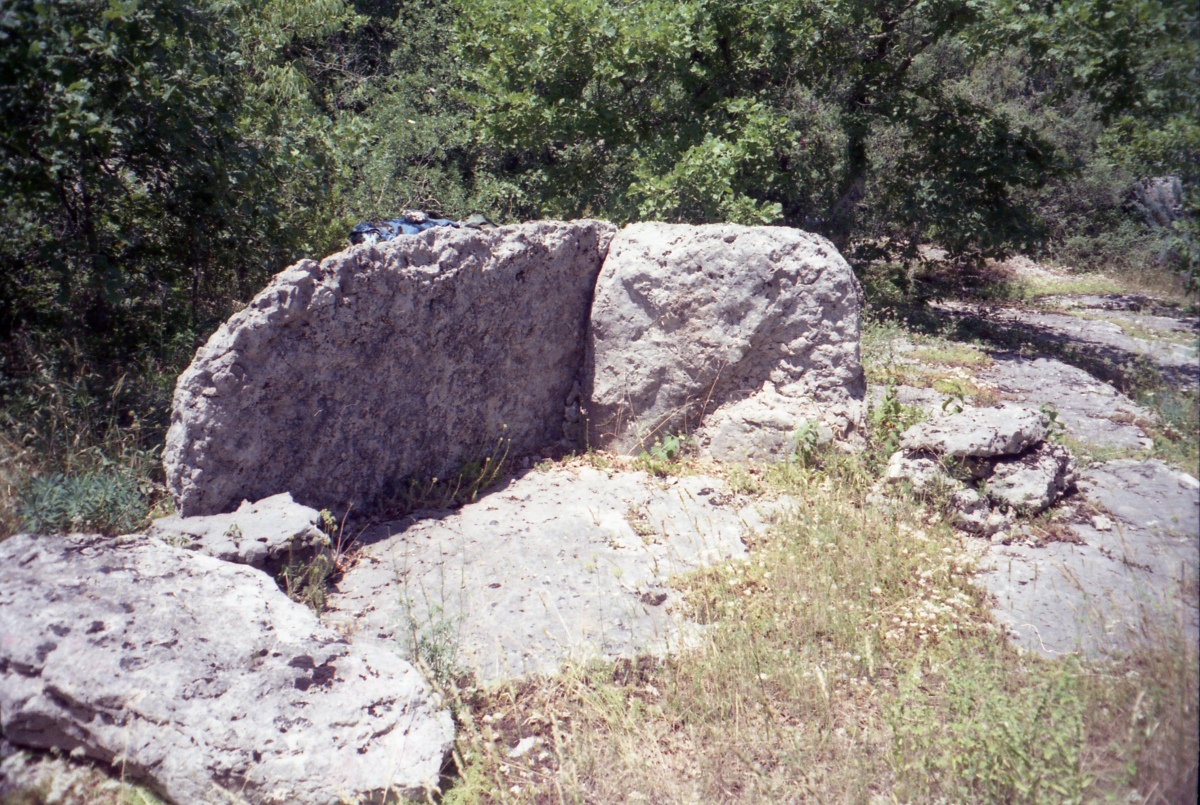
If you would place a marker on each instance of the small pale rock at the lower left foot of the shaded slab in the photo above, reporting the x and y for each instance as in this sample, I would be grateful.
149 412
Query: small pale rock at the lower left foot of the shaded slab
266 534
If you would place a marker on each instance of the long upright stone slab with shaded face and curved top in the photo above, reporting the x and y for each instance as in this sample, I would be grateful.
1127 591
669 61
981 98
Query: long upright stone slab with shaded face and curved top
344 379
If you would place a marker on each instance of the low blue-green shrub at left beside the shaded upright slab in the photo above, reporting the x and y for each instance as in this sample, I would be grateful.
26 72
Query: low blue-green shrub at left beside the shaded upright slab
107 501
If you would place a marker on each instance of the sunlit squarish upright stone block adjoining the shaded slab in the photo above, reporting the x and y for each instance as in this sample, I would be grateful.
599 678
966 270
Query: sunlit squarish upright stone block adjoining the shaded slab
748 333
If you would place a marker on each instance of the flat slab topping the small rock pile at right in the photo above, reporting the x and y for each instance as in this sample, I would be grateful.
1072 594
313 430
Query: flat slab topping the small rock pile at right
979 432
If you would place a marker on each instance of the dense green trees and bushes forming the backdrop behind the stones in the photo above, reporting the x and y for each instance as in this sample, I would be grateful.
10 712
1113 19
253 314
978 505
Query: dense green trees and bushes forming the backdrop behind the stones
160 159
